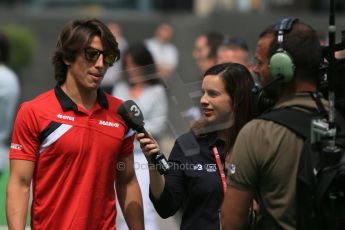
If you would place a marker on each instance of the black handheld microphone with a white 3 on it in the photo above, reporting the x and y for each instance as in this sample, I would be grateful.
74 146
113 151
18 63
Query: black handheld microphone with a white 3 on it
134 119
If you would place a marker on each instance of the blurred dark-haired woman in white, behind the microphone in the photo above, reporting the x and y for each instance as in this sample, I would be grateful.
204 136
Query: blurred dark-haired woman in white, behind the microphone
141 83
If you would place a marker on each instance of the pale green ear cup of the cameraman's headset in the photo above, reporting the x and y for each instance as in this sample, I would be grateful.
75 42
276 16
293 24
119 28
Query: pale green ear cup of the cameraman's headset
281 64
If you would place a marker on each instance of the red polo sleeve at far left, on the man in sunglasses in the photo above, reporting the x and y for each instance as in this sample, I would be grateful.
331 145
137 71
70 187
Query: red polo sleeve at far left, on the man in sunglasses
25 139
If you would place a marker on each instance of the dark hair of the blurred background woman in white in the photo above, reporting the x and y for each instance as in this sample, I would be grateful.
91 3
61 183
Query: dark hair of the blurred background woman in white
142 57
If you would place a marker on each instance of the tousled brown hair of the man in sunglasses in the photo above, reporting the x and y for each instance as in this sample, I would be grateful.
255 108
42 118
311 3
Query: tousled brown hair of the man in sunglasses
74 38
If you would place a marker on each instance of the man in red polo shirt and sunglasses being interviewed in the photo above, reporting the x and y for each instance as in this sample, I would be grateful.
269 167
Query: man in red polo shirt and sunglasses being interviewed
69 140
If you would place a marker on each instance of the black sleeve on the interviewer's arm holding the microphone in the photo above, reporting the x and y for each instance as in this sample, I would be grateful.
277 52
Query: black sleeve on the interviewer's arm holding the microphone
174 190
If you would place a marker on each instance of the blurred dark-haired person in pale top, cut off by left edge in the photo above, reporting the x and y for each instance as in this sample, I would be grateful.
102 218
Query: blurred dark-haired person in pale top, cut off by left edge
9 98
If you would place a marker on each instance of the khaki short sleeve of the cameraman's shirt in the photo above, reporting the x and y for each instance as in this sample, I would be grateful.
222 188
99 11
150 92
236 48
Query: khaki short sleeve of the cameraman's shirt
243 167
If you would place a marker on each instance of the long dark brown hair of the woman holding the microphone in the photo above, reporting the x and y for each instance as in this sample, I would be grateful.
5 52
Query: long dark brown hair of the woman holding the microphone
238 83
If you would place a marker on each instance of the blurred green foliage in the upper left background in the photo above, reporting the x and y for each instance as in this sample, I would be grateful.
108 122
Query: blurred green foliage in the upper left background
23 45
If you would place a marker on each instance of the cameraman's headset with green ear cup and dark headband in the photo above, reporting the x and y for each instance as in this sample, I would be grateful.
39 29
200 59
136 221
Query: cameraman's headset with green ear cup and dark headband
281 63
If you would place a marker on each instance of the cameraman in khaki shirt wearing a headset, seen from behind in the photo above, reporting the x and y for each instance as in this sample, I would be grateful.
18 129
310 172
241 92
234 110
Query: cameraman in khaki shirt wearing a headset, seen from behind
265 157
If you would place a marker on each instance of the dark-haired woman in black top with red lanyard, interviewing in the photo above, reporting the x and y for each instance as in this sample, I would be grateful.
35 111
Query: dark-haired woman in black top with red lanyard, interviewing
196 179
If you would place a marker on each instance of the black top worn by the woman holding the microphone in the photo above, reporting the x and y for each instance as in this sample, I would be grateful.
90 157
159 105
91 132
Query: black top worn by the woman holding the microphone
193 183
